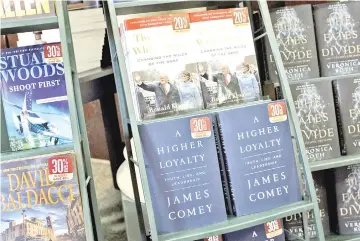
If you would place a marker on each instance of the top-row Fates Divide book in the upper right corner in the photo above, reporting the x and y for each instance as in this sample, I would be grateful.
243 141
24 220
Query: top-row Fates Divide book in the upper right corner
337 34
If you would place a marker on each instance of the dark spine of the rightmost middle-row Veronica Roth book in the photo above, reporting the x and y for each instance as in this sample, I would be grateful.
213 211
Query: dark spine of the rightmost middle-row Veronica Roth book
338 117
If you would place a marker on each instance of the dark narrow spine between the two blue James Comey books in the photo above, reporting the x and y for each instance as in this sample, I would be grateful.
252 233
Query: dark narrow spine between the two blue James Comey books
223 168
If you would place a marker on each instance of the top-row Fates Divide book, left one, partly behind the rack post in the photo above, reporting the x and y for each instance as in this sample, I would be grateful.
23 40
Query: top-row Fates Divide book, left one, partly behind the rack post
294 32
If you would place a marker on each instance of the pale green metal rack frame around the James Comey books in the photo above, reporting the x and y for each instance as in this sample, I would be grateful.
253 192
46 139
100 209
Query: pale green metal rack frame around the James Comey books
130 126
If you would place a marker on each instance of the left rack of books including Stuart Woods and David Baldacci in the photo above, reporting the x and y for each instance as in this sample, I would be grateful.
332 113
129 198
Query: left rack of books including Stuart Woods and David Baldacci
47 191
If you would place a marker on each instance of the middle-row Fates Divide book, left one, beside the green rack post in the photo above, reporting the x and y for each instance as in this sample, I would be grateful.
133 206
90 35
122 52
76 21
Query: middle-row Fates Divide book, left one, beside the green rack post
314 104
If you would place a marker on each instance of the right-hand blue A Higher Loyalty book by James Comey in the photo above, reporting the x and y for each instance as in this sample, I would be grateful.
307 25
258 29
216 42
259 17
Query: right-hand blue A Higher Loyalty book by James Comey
260 157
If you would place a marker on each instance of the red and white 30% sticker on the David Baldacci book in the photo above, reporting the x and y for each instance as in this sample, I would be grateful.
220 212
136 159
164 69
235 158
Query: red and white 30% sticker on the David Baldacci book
60 168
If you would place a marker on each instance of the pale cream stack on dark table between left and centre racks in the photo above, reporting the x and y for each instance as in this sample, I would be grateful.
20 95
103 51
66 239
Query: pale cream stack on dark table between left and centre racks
88 32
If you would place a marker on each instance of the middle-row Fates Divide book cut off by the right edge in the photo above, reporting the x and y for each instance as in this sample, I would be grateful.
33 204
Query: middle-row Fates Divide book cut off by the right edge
347 99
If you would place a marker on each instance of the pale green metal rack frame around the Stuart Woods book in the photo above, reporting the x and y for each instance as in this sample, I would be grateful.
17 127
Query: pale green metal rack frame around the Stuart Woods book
80 145
